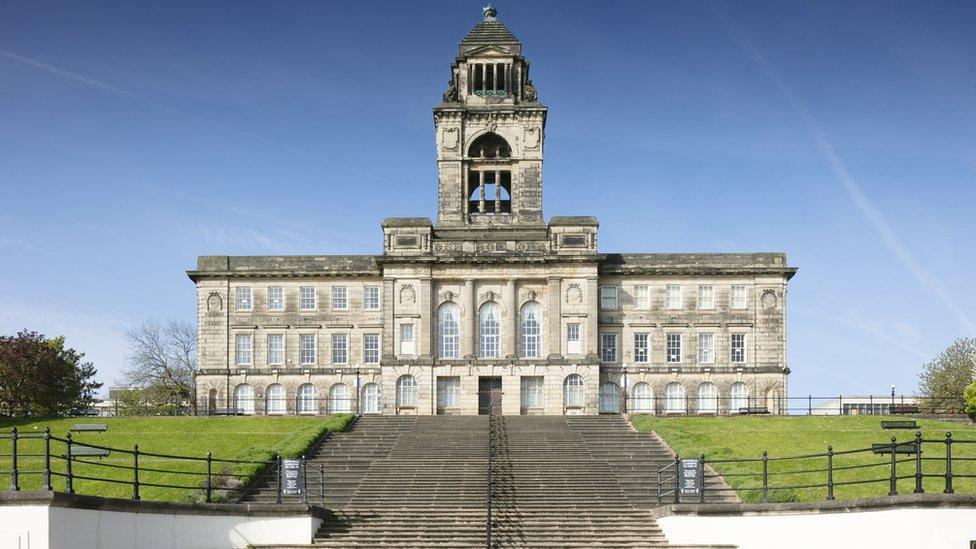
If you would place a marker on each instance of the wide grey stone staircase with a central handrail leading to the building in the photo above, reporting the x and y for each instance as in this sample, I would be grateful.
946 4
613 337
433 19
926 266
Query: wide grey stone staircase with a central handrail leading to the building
421 481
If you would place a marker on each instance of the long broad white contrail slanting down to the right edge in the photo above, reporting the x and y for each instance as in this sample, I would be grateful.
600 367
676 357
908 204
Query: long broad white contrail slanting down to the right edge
843 175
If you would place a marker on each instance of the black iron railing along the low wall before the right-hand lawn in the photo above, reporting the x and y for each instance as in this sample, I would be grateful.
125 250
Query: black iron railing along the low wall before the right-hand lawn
779 478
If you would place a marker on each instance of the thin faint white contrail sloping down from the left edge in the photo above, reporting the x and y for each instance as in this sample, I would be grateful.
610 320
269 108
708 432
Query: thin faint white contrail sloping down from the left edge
57 71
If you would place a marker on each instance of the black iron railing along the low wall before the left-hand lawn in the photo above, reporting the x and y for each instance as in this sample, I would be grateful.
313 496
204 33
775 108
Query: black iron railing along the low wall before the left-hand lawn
86 467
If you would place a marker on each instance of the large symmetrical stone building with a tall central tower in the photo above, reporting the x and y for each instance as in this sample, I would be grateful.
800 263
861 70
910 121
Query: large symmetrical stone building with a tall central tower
491 307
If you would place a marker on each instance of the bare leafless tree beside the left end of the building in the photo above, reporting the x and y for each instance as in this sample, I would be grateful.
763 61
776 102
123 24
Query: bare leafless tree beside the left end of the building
162 359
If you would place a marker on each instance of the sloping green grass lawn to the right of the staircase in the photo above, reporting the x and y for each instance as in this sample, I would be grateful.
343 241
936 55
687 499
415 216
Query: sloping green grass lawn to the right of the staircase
747 437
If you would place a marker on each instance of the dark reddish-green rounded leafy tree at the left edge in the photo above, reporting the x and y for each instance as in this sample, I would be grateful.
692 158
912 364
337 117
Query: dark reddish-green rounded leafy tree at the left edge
43 377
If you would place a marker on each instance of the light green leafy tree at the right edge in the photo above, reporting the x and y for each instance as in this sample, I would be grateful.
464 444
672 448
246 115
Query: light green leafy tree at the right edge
944 379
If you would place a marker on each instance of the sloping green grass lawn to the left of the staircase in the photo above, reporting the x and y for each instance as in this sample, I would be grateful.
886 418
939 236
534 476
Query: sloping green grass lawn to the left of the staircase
234 438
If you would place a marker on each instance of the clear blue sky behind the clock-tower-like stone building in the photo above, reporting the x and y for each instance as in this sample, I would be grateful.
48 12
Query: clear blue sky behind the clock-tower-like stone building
134 137
